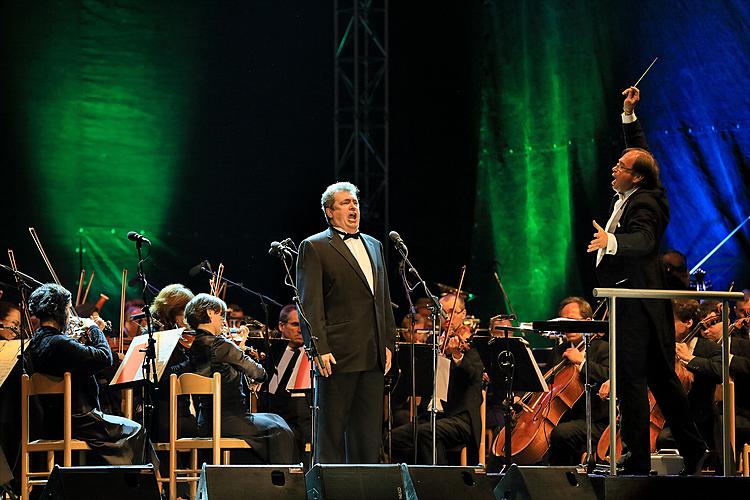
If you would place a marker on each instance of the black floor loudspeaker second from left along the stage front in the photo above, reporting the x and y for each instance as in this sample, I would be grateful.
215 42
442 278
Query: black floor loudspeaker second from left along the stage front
220 482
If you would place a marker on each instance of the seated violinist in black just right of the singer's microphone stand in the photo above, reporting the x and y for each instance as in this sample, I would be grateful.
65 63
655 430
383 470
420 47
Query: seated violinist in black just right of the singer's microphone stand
459 423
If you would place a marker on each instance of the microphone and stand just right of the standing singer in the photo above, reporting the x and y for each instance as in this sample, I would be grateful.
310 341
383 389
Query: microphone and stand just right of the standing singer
437 311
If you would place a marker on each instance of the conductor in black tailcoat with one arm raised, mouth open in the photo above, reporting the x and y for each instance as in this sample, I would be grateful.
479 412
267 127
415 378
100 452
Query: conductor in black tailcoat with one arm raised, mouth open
628 256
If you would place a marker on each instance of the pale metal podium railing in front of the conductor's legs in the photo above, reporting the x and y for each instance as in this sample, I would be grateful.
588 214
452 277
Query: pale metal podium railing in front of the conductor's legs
612 294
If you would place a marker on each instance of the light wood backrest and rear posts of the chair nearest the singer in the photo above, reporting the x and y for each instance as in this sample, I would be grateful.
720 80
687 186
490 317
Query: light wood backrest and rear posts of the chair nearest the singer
189 384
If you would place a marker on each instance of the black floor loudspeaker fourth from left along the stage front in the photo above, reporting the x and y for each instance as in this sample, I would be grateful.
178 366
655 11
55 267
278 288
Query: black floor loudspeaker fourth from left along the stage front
439 482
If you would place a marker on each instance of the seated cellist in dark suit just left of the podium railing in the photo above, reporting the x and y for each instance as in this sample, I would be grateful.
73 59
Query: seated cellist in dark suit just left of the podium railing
568 438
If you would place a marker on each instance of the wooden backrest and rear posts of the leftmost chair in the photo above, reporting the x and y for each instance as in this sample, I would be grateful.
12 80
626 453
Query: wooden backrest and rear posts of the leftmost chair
41 384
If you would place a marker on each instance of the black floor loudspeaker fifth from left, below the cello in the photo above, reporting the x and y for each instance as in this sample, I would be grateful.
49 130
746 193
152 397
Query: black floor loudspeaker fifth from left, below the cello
543 483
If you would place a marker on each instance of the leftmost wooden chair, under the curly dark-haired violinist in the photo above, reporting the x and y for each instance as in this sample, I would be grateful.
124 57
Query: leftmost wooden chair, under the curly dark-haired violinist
40 384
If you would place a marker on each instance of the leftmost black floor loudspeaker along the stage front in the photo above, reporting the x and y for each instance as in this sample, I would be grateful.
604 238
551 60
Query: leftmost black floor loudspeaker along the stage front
93 483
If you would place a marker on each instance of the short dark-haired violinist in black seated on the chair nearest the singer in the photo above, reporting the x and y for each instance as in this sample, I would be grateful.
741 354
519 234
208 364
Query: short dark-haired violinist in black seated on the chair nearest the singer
270 437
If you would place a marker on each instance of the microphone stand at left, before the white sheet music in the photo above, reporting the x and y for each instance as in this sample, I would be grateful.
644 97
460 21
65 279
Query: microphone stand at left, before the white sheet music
149 361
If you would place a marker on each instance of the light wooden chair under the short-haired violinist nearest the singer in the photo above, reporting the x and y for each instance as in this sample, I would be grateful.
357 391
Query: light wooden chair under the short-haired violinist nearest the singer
190 383
